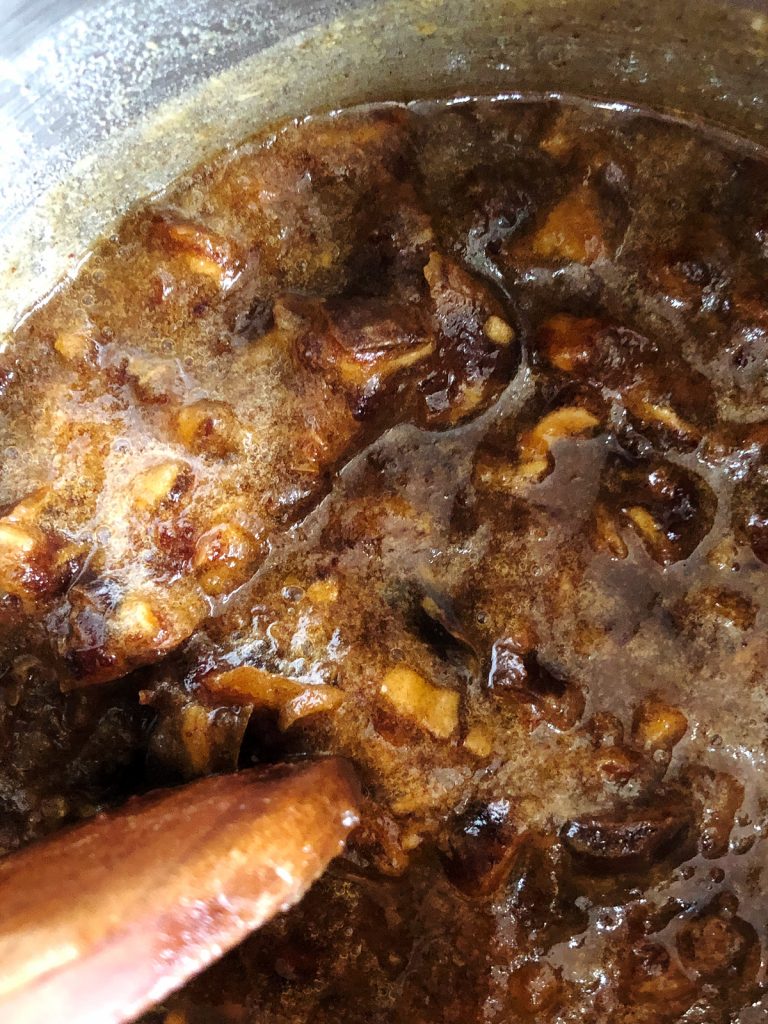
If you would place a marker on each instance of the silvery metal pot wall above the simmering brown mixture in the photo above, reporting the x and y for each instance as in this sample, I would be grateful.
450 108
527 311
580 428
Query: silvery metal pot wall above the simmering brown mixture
115 99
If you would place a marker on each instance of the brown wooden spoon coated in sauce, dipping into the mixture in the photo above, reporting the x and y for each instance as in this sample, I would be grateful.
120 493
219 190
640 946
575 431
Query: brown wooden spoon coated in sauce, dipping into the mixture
103 921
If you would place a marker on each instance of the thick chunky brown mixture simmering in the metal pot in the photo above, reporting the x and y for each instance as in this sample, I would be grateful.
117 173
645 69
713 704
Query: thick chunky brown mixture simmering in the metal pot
438 438
